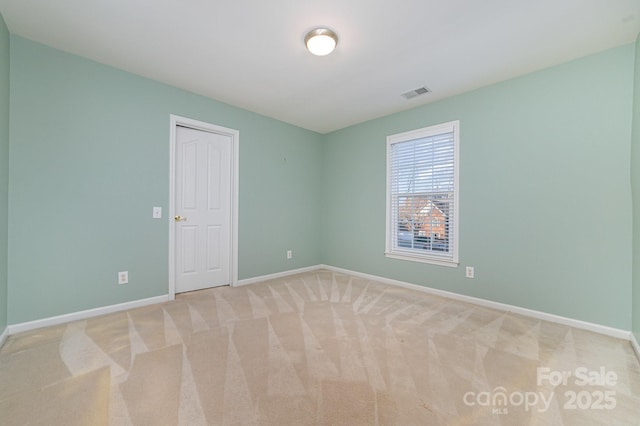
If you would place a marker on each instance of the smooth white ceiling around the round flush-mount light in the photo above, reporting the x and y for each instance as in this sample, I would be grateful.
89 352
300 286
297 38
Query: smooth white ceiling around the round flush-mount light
250 53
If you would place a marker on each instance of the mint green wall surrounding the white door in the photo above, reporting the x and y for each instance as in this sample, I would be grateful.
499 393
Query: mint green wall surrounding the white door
89 160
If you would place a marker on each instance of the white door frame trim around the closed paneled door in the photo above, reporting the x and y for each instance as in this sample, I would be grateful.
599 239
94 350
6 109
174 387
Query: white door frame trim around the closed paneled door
235 141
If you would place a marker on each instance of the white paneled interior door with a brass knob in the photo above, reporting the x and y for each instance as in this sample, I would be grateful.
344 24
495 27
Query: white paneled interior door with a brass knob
203 237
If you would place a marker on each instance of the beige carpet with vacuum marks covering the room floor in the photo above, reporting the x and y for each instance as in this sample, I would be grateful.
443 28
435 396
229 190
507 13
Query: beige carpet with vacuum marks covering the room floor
316 349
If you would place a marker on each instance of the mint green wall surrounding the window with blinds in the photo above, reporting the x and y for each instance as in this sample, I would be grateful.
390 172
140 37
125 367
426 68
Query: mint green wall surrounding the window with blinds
545 213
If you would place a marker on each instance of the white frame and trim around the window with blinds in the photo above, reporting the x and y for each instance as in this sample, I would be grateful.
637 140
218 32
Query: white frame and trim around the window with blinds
429 256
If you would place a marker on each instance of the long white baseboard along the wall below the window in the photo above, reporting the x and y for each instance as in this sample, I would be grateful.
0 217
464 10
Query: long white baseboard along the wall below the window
602 329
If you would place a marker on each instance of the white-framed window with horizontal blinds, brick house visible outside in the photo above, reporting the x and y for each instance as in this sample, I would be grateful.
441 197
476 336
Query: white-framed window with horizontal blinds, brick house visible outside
422 195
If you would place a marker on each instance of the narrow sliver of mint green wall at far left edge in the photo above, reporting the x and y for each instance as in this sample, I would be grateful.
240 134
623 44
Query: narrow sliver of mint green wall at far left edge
4 167
